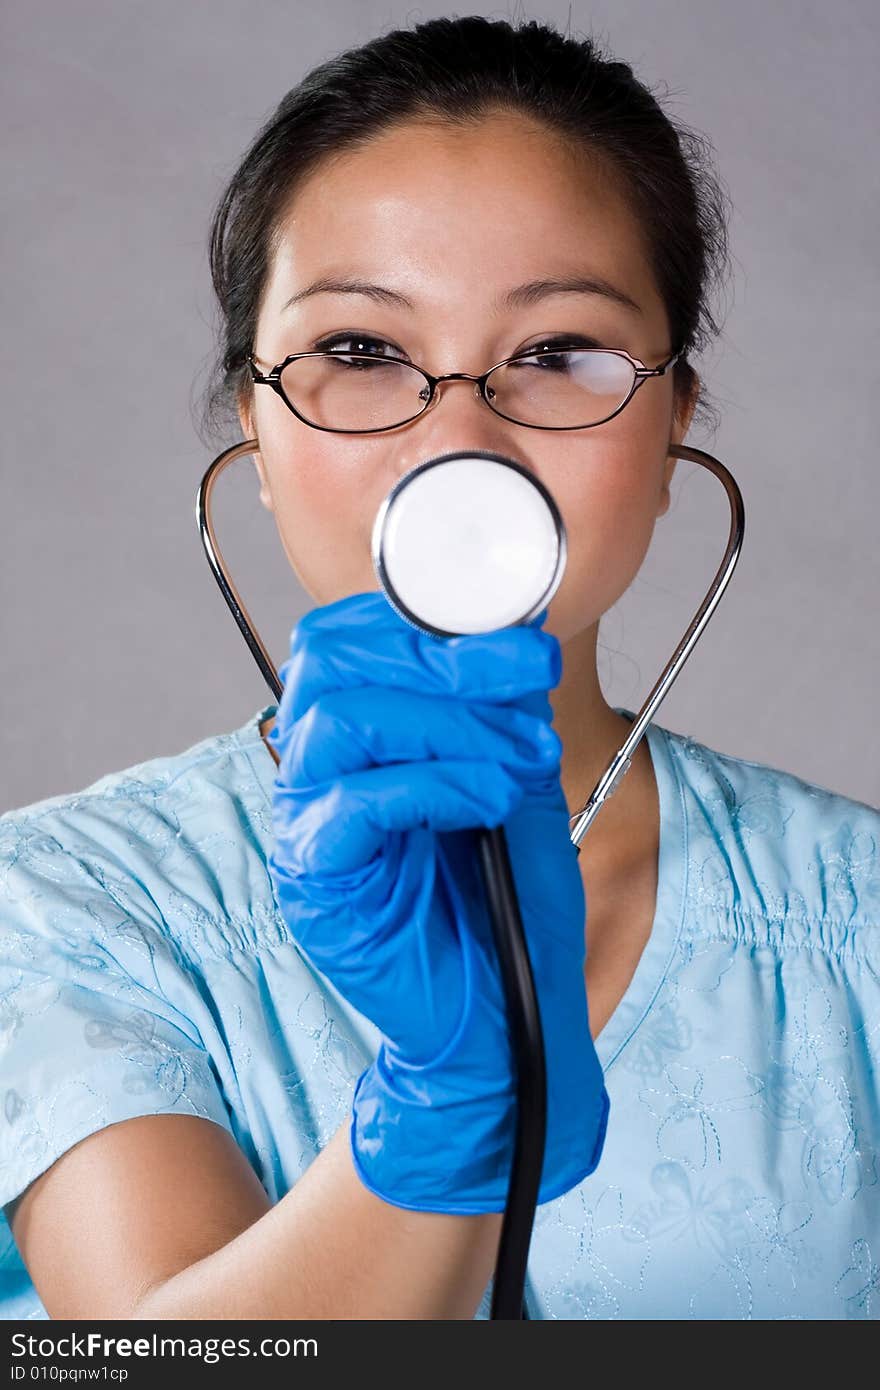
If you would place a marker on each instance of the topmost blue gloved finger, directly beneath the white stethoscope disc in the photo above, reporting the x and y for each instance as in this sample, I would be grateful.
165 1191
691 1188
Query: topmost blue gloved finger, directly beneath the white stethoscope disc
364 641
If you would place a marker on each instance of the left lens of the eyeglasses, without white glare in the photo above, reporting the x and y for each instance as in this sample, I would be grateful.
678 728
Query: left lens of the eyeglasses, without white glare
345 391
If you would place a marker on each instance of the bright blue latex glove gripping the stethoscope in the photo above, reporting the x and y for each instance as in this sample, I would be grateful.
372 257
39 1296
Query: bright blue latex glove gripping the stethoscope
394 744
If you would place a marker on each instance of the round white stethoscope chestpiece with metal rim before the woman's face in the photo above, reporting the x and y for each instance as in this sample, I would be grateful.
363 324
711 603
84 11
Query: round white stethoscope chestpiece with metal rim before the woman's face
469 543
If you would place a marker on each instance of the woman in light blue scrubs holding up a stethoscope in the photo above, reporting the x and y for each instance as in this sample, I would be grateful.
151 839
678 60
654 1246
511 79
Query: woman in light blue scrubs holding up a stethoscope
198 936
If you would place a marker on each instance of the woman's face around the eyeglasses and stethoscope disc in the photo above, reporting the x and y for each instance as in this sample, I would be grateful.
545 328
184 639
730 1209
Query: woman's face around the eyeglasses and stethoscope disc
453 220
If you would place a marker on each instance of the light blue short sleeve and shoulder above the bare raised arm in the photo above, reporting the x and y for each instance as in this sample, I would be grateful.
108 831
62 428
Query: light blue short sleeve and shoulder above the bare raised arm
112 903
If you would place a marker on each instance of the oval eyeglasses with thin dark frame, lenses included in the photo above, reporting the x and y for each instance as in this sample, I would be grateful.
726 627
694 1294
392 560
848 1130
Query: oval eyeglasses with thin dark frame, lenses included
352 393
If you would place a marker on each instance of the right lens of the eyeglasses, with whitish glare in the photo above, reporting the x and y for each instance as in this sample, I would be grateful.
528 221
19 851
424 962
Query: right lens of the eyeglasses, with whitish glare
562 390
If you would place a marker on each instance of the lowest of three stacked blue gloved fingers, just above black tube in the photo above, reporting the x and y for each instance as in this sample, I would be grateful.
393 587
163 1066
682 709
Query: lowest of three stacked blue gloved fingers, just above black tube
336 831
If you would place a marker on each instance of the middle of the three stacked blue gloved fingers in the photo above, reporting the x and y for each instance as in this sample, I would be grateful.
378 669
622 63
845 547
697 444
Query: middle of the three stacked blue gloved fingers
366 726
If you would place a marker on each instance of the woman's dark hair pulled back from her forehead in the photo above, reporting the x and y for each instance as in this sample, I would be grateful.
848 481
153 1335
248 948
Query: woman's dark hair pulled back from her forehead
459 70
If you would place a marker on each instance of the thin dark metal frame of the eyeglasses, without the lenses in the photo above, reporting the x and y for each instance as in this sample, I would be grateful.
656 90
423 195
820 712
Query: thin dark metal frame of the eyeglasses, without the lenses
642 375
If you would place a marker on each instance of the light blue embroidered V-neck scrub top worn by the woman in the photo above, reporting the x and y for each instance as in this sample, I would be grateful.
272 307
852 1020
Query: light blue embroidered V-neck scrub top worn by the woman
145 970
